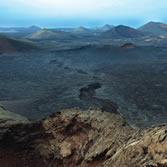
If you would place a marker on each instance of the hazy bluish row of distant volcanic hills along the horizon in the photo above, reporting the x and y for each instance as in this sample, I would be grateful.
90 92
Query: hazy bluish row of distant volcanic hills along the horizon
106 31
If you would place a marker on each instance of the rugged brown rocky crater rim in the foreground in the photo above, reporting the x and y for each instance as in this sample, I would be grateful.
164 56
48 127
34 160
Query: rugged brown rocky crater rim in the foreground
75 138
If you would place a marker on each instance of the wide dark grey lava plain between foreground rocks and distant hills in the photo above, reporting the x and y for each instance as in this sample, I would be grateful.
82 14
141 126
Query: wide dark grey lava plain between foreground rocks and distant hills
133 79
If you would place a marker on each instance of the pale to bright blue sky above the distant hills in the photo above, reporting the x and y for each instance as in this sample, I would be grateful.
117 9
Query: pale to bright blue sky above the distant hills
74 13
